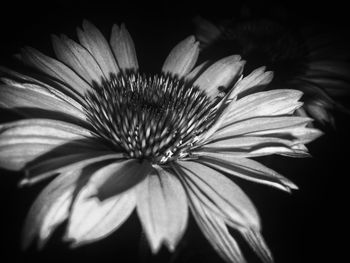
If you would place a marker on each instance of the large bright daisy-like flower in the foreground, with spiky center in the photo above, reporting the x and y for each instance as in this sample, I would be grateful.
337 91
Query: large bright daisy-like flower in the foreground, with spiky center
119 140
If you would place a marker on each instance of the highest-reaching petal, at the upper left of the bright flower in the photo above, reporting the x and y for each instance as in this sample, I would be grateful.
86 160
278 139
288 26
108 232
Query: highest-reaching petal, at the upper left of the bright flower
93 40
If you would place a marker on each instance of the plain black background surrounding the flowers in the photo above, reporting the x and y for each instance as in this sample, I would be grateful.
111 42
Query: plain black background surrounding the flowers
308 226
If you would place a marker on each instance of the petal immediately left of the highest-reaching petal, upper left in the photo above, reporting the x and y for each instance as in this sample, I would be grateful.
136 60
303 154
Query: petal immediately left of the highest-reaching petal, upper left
78 58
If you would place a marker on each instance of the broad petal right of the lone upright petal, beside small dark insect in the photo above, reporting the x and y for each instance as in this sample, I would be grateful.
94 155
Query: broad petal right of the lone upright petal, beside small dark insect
220 74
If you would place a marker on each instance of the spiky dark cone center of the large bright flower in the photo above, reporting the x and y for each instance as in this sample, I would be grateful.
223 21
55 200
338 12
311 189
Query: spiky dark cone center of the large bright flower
157 117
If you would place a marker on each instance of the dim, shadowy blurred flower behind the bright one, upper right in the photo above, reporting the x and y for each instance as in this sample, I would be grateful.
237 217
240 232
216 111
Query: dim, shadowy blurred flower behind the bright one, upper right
306 58
